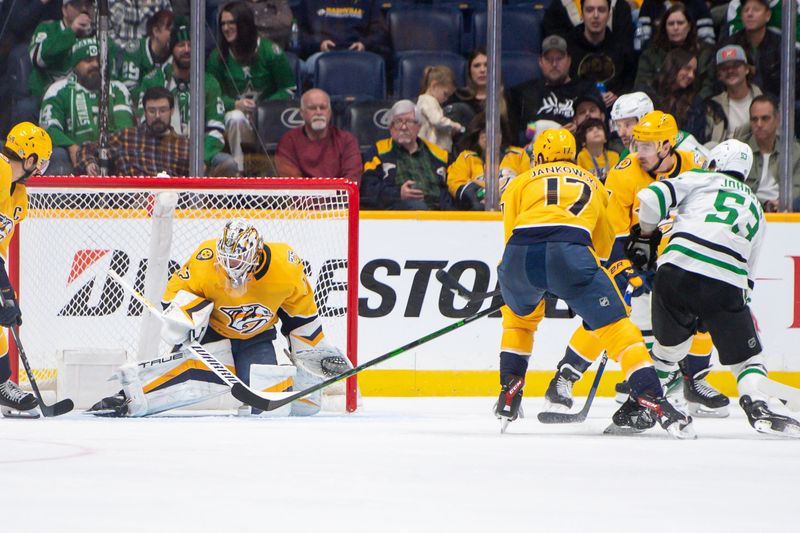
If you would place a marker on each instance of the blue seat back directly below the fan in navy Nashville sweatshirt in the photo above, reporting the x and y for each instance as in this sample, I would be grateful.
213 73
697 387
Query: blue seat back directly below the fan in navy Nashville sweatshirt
351 75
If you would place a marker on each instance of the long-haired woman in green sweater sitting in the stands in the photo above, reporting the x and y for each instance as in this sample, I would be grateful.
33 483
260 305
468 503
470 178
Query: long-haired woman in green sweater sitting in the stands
249 69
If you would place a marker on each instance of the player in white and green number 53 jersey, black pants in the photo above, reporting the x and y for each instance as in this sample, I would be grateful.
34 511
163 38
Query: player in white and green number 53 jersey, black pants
706 272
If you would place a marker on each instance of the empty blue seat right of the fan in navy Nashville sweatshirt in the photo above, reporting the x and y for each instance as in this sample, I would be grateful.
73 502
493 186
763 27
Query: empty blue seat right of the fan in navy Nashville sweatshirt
419 27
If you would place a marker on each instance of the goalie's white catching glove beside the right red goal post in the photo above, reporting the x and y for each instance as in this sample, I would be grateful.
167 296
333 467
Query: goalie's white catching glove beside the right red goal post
310 351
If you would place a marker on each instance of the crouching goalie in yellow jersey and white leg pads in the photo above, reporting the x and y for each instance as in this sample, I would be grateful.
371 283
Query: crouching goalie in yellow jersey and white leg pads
229 297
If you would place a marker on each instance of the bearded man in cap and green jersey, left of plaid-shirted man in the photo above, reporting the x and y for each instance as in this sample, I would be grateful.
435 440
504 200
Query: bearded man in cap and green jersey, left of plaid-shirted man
70 111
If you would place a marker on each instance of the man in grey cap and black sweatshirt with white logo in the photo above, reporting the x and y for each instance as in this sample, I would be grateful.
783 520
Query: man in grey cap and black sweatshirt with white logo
553 97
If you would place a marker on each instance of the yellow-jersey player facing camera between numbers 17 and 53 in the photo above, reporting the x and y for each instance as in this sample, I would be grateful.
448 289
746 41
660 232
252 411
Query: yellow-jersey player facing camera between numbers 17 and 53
653 159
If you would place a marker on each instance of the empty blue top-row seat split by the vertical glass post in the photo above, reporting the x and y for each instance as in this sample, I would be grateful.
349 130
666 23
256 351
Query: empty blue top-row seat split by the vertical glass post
522 29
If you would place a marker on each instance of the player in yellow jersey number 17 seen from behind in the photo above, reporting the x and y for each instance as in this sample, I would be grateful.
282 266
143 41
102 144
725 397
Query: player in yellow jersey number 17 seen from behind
557 231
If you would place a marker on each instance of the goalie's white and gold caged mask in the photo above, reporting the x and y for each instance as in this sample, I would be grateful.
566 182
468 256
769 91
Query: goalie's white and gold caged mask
238 251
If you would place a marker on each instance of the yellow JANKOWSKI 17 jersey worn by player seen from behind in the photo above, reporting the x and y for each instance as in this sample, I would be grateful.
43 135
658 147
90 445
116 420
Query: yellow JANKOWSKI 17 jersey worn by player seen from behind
557 202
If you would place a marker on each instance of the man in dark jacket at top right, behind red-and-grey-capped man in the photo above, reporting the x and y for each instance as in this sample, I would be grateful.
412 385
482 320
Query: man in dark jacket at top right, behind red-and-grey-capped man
762 45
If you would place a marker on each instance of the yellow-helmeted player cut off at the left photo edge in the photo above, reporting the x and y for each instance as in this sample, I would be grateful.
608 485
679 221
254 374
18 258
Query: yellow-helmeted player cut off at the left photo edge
26 153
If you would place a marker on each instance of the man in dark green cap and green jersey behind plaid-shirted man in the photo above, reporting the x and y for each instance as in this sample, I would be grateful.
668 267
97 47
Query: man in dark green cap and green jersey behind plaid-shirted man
174 76
